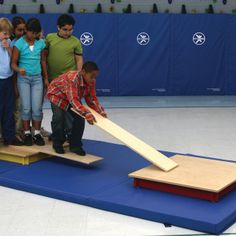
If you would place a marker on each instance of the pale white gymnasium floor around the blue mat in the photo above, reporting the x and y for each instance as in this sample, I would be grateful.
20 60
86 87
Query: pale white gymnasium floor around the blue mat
197 125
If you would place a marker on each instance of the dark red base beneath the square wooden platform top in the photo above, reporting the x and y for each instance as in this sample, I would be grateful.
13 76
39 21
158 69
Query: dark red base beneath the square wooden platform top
189 192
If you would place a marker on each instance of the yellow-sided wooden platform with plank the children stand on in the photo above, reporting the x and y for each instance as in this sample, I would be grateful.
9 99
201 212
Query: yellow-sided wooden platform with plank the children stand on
26 155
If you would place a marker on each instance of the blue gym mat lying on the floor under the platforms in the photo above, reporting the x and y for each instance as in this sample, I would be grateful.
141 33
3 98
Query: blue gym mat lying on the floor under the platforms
106 186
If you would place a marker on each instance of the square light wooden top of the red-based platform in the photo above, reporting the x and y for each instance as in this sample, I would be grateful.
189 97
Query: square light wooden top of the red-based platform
196 173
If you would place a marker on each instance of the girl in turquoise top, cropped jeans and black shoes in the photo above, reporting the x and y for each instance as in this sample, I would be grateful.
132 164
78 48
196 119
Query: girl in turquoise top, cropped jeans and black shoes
28 61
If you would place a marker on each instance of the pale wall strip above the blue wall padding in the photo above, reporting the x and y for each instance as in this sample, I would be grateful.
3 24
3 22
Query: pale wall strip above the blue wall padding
199 6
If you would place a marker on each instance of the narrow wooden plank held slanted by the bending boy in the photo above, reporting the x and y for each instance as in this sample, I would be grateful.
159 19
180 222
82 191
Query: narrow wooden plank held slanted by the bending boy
137 145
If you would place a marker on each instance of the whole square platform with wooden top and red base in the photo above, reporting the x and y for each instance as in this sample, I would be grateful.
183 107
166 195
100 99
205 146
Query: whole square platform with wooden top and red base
196 177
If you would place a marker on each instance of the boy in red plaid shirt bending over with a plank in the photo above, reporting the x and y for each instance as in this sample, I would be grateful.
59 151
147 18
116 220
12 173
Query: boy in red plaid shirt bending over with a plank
65 92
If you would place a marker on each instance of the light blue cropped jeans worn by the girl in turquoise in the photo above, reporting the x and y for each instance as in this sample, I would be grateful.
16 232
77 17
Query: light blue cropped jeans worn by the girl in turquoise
31 95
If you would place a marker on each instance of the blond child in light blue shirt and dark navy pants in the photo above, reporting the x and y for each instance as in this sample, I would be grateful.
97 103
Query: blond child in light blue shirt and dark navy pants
7 103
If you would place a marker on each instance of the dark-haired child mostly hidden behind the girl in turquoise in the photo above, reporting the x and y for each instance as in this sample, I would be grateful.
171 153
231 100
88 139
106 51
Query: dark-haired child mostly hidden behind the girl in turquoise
18 23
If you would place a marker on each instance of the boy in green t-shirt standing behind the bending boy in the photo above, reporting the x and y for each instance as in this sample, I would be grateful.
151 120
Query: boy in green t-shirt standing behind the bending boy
64 51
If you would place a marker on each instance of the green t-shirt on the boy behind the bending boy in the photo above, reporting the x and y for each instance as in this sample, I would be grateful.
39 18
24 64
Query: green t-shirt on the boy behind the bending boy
61 54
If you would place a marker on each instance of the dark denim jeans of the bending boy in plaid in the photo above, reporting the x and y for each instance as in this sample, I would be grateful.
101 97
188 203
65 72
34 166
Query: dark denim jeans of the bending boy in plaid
66 123
